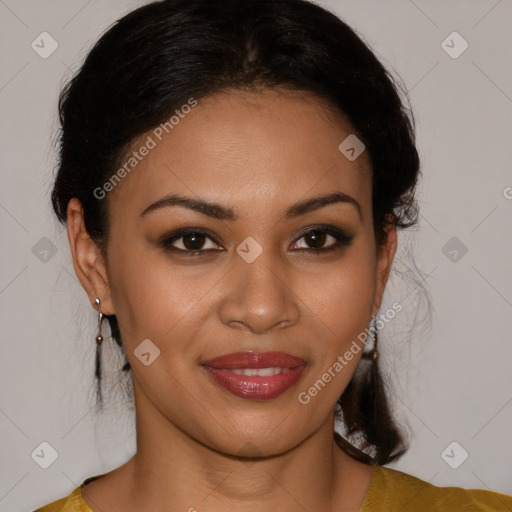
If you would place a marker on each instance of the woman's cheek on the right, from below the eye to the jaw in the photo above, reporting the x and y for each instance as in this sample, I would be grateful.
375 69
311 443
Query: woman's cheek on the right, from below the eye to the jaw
340 305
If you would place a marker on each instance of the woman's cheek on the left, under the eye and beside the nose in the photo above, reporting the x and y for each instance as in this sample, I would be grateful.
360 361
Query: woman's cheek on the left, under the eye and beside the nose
158 300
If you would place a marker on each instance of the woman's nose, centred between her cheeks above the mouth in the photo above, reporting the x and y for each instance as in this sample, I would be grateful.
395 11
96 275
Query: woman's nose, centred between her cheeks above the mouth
259 296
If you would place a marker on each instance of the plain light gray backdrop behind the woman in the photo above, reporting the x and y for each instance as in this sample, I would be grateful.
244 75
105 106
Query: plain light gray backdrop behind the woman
451 382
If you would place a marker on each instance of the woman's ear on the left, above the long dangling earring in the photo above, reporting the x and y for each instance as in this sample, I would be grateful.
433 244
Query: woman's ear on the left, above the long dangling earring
88 262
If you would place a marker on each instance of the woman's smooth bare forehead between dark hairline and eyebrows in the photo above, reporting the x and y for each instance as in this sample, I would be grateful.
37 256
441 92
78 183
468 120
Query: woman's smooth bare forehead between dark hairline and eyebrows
248 150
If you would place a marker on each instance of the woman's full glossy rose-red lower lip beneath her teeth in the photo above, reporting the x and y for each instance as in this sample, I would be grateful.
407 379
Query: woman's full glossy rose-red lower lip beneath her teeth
255 387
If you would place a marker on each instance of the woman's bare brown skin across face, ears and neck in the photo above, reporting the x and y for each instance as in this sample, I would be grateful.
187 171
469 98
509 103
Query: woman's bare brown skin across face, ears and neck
257 152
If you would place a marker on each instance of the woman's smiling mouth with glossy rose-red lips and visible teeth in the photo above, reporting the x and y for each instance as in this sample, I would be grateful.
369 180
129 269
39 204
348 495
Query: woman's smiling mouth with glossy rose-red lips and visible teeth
254 375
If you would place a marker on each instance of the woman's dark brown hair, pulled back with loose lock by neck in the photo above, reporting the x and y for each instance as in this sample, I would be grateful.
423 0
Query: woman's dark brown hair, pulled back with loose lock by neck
155 58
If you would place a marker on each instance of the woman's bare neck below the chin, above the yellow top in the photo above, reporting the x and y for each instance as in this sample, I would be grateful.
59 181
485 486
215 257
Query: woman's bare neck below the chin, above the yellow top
173 471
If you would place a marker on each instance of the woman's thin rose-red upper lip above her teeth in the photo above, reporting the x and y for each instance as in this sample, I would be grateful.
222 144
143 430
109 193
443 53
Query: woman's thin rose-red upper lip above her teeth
255 360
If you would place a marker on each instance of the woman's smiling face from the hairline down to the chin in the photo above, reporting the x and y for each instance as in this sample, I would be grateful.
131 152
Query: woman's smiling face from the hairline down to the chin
258 286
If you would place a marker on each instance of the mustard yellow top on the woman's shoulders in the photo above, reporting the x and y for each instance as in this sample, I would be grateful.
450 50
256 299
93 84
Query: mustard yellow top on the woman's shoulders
390 491
